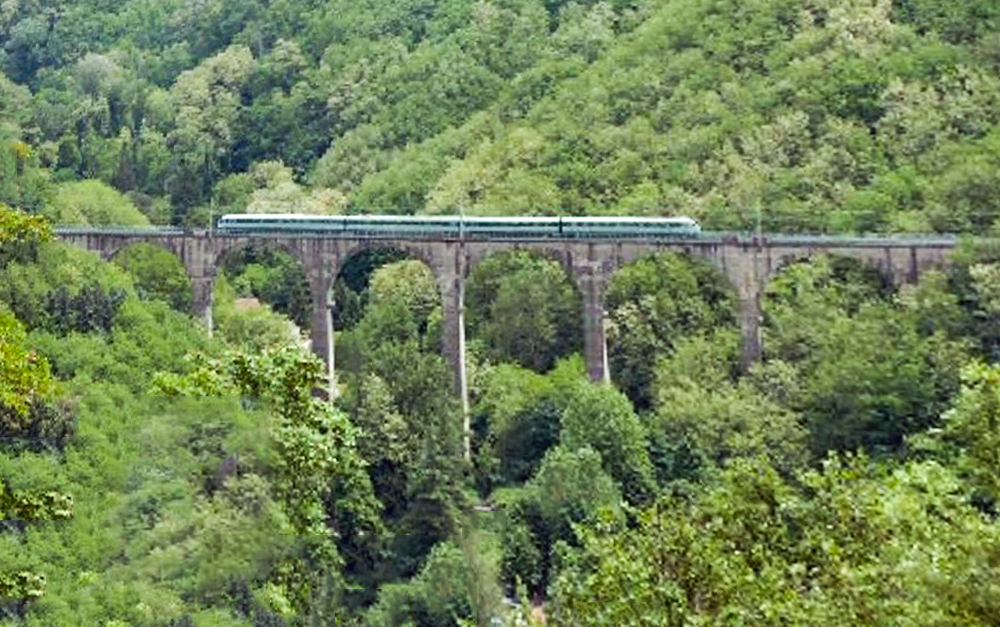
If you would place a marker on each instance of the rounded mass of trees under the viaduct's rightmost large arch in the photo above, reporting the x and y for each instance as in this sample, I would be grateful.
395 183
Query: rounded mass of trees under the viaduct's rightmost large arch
851 357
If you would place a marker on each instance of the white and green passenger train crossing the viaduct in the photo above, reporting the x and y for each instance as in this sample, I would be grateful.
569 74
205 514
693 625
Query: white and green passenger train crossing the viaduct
459 227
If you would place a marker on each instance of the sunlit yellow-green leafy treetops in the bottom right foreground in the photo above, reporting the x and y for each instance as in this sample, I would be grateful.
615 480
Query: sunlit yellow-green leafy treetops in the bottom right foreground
850 543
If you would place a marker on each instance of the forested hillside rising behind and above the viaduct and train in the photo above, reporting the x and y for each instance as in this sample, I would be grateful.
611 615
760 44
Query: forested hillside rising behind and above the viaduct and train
858 115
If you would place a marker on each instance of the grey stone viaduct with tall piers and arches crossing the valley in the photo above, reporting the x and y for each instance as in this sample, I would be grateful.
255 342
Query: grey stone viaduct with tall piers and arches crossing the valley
748 262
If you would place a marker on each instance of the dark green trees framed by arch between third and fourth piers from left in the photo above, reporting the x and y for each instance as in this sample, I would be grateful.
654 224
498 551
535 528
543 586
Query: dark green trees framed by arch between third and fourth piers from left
523 307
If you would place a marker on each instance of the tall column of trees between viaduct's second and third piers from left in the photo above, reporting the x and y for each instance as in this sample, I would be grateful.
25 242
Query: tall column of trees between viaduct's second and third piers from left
398 389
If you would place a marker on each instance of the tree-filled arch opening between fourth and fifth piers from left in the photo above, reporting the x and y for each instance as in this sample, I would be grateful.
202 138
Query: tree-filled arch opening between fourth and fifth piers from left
662 304
